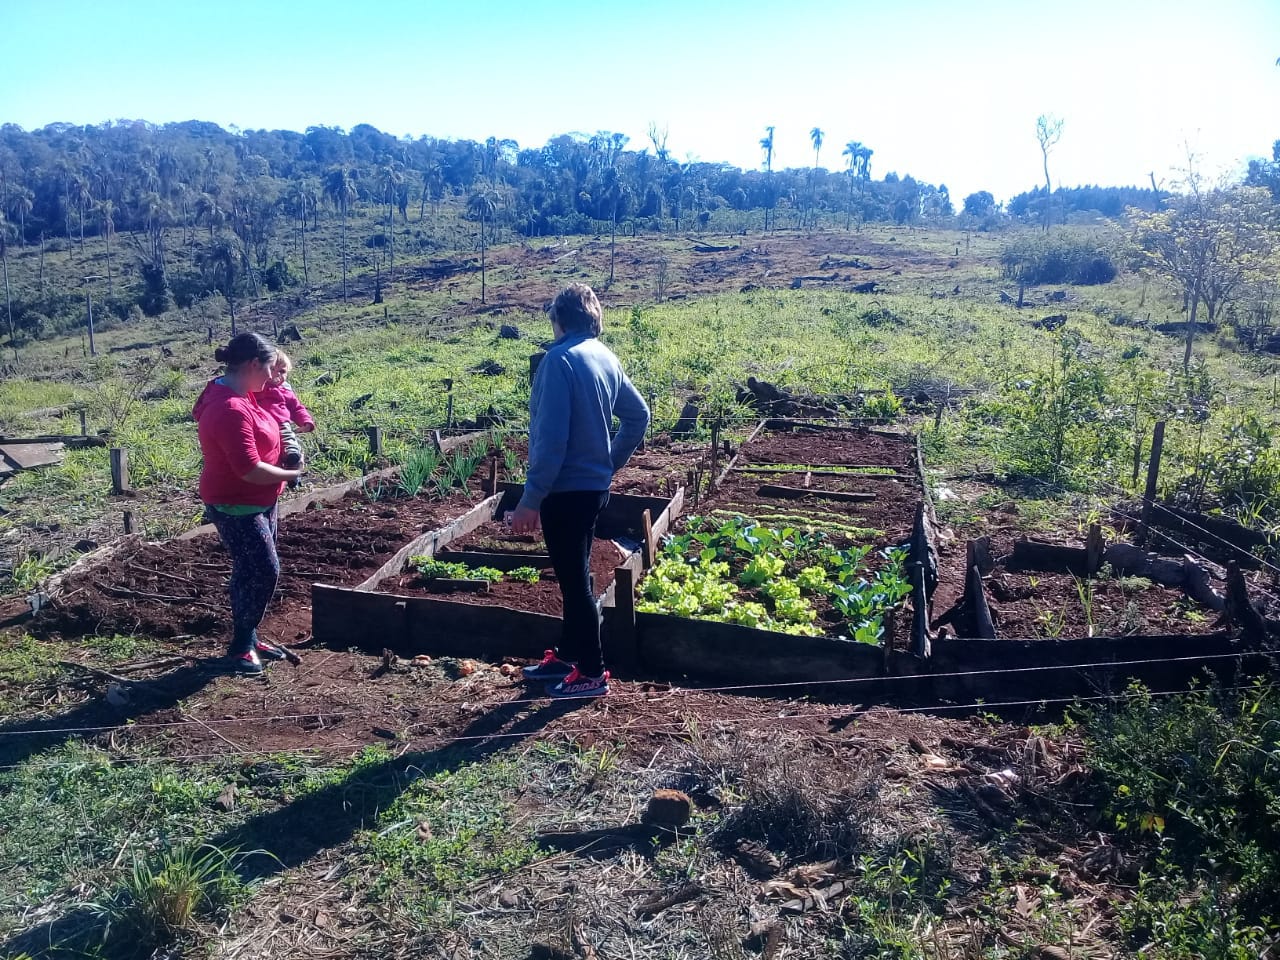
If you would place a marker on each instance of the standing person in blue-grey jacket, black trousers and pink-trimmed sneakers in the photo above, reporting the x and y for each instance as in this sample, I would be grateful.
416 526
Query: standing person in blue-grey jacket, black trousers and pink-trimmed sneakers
573 456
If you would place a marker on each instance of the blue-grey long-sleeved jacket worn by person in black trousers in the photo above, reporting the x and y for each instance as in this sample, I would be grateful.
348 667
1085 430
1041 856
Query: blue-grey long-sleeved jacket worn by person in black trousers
578 391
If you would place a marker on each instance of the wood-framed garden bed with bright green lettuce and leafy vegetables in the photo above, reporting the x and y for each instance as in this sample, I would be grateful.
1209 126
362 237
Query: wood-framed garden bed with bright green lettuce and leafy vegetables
796 568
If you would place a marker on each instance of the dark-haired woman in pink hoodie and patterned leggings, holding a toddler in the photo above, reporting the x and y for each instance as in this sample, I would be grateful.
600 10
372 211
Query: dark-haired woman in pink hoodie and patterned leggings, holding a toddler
240 486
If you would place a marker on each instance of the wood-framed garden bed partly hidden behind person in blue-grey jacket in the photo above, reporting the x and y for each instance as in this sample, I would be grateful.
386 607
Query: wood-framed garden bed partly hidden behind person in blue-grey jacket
472 588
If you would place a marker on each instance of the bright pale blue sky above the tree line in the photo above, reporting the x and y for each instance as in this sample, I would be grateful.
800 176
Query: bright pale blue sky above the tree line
945 90
